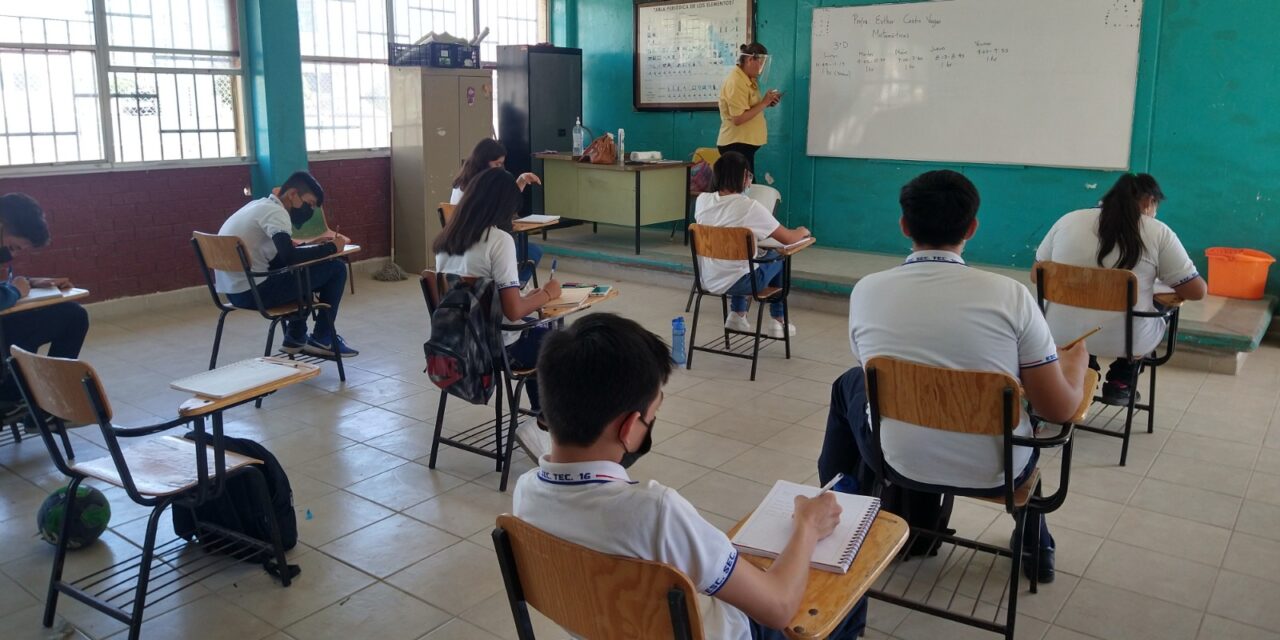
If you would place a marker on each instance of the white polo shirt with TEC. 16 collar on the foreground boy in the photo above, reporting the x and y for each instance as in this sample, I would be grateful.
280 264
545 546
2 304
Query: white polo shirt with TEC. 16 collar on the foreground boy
598 506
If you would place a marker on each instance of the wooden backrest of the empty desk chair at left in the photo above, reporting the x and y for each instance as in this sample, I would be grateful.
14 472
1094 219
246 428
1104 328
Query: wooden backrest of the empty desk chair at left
58 387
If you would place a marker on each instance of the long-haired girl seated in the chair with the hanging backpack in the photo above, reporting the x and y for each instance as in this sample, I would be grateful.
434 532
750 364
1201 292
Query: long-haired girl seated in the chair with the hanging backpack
477 244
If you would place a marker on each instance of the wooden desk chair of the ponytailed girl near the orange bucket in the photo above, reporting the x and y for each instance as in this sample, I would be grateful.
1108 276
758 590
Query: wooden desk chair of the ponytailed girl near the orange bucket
1110 290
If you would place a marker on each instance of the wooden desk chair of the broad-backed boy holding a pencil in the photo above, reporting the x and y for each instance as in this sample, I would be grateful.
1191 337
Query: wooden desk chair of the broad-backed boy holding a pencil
966 403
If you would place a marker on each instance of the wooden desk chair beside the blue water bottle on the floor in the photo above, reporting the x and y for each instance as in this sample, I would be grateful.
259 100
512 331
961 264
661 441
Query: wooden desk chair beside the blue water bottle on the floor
735 244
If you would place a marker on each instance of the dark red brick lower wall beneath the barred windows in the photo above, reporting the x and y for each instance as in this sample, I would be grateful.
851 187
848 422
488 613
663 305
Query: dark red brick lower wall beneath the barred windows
129 234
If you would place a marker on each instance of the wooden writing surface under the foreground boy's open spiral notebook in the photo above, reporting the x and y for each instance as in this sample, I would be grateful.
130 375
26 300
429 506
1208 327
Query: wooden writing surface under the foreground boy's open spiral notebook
830 597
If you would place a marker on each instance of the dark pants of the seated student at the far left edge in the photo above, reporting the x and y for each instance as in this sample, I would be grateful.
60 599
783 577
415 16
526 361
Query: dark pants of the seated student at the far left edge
63 327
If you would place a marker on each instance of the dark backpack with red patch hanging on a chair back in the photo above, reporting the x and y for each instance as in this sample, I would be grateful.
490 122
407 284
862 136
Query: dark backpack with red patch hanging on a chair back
464 345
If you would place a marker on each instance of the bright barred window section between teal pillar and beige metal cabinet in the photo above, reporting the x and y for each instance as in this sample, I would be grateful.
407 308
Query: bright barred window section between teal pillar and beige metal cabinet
345 98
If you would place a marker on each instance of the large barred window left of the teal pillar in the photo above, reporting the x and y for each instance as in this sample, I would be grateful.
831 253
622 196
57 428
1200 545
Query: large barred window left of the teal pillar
164 84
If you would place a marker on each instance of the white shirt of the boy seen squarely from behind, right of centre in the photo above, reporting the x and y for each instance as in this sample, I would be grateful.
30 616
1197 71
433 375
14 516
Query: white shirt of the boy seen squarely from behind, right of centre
935 310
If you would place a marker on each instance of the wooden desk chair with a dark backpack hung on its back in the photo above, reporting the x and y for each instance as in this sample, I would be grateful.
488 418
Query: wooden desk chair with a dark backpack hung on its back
487 438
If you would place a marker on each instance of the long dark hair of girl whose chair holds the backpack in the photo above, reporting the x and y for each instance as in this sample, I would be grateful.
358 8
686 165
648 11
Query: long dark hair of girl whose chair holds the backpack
492 200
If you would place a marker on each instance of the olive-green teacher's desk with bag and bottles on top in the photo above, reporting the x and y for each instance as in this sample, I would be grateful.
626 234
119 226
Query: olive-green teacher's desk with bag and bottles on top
602 193
